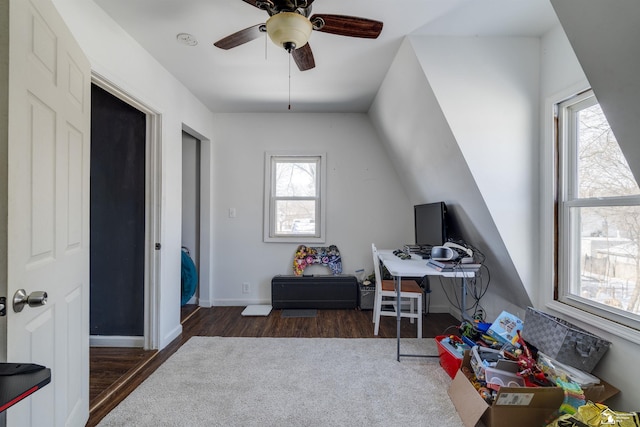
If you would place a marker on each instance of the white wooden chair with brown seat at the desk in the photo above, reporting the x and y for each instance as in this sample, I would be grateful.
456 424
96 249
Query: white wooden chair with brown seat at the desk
386 295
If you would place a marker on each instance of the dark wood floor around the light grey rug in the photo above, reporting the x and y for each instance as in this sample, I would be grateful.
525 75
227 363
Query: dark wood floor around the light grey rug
116 372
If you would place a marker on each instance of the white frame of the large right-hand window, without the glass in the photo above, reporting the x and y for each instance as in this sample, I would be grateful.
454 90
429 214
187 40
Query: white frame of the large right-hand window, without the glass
565 169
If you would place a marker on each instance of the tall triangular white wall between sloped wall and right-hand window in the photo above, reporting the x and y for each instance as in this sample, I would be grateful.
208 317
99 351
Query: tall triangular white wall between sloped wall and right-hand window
487 88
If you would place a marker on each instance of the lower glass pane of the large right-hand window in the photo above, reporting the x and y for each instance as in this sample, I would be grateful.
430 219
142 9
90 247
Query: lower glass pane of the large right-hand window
609 261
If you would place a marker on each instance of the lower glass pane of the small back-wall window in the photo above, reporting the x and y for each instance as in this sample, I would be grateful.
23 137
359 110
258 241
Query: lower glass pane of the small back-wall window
296 217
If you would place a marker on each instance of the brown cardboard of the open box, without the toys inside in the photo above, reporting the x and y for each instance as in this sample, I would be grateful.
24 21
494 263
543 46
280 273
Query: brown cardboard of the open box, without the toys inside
521 406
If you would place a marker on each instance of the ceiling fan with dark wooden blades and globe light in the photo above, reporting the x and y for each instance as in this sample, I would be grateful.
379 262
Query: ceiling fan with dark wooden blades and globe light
290 24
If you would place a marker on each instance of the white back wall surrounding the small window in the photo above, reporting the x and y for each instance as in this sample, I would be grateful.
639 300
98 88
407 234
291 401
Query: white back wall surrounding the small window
365 200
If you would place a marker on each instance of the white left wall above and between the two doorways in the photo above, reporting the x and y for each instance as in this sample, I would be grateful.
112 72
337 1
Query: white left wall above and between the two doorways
119 59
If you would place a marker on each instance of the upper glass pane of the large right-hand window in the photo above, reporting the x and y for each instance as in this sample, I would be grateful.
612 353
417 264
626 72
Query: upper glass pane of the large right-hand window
603 170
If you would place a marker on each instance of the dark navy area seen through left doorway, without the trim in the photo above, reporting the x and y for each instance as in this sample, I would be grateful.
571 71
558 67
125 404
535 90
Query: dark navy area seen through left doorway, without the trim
118 152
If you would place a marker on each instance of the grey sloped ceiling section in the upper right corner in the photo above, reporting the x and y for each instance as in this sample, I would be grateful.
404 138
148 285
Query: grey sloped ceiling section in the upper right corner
610 60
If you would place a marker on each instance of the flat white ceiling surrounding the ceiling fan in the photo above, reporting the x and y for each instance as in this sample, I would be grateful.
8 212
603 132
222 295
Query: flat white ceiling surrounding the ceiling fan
254 77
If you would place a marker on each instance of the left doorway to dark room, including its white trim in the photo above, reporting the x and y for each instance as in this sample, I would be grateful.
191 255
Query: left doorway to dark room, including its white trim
124 219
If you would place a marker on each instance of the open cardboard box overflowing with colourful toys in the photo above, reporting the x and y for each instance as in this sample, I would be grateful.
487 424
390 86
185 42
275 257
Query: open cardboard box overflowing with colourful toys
503 382
